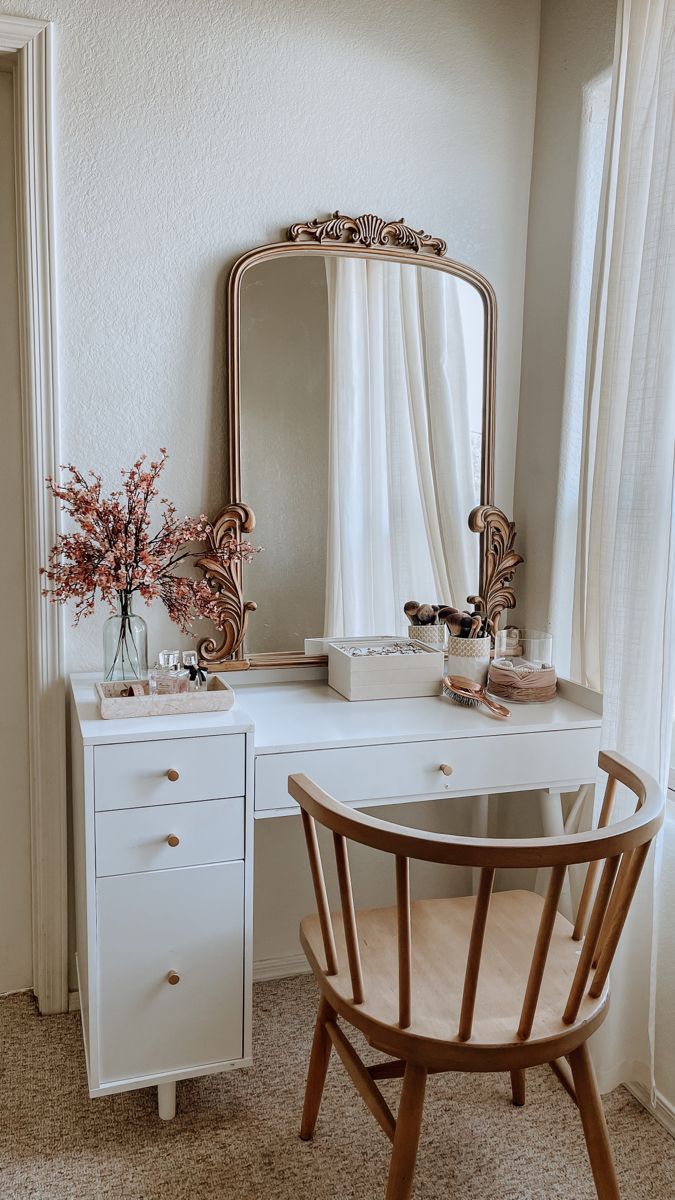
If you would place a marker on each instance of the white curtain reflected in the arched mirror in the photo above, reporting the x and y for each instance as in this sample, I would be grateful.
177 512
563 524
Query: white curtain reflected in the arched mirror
401 464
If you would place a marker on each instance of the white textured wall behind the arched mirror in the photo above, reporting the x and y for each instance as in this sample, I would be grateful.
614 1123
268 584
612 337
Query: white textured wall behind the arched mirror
189 133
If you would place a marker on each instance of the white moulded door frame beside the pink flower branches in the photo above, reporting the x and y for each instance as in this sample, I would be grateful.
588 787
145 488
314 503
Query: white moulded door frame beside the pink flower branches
32 41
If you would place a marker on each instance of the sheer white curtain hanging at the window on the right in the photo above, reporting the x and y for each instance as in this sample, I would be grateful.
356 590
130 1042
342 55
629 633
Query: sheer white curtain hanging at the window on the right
623 638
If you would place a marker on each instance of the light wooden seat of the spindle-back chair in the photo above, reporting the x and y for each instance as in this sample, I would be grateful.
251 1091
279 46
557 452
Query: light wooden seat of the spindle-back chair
440 941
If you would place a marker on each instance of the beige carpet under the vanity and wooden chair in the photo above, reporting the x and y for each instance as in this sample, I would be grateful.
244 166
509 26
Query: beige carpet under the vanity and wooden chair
237 1136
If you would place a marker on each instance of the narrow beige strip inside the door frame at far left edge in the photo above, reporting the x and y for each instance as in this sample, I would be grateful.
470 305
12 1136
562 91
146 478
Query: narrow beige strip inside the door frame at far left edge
16 959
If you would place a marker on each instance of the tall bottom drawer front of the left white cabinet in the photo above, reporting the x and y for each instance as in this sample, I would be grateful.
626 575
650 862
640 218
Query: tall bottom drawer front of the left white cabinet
189 922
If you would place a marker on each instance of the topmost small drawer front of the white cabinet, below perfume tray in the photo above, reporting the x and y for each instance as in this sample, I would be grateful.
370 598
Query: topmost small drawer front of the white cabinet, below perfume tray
136 775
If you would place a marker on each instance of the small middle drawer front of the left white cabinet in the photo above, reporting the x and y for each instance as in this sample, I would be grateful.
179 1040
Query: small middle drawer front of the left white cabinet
166 836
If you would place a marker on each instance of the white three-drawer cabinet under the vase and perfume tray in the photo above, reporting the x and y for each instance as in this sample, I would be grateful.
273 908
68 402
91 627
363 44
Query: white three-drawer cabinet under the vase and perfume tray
163 837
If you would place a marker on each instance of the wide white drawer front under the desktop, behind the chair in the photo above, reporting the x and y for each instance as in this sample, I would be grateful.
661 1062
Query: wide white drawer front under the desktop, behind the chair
359 775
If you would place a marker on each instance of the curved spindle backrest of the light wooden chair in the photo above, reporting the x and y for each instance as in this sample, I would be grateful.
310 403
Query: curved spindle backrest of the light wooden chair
617 853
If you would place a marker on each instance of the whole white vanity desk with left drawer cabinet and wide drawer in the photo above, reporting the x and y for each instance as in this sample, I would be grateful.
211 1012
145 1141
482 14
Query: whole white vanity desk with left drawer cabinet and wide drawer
164 832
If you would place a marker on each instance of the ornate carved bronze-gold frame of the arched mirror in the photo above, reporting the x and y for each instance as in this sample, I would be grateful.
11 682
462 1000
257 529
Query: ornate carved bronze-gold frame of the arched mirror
365 237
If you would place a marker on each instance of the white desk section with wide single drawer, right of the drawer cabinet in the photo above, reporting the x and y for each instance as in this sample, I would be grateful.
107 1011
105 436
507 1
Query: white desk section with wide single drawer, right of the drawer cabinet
387 752
